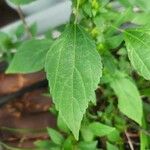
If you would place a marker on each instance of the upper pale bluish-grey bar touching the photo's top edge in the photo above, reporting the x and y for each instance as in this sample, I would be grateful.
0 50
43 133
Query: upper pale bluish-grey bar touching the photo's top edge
33 7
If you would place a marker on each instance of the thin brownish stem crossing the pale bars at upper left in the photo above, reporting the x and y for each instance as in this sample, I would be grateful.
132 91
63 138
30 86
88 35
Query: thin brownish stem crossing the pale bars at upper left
20 13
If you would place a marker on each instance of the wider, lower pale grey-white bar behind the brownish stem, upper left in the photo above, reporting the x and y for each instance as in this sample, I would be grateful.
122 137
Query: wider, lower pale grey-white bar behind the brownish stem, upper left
46 19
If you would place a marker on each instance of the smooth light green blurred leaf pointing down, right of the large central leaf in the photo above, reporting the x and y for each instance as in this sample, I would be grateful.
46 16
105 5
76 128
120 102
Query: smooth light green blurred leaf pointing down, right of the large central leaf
129 101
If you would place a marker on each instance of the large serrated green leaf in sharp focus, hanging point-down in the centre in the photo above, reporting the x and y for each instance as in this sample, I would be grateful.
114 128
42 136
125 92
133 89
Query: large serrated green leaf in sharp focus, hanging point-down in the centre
73 68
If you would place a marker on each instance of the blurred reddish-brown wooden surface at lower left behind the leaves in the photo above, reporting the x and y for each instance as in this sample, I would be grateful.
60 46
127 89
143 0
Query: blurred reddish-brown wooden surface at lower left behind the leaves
29 110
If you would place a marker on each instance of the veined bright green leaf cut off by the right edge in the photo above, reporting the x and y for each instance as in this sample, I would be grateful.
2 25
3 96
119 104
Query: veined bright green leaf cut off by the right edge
138 47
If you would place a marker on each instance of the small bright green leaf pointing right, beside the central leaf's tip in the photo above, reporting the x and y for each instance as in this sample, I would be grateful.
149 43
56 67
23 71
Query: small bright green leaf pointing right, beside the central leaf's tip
100 129
